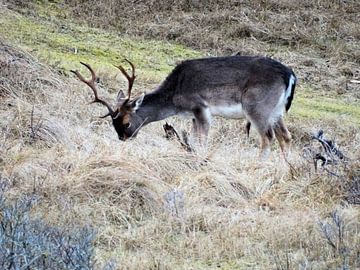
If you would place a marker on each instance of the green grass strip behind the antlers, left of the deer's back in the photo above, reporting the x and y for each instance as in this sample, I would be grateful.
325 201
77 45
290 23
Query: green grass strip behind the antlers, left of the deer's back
63 44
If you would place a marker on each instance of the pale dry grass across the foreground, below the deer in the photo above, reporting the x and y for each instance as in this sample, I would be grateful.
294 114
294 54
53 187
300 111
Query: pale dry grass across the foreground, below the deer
237 213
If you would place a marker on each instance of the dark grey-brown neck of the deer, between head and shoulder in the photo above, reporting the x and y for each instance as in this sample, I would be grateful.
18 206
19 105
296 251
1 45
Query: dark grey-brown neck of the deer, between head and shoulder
156 106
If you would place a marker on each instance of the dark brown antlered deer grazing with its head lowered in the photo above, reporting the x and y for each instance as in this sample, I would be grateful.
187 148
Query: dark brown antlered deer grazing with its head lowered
257 88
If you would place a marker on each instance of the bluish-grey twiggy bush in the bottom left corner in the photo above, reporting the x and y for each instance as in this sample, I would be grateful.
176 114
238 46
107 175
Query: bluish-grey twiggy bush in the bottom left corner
27 243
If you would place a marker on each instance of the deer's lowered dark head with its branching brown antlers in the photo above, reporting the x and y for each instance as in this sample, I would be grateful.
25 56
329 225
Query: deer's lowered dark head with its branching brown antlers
124 118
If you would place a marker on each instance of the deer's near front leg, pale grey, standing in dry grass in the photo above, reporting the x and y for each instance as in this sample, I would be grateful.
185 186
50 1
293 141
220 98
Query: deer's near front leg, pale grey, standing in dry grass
201 123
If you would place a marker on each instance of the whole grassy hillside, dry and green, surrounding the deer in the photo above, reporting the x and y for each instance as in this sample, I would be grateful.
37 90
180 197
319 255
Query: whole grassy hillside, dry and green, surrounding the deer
230 211
